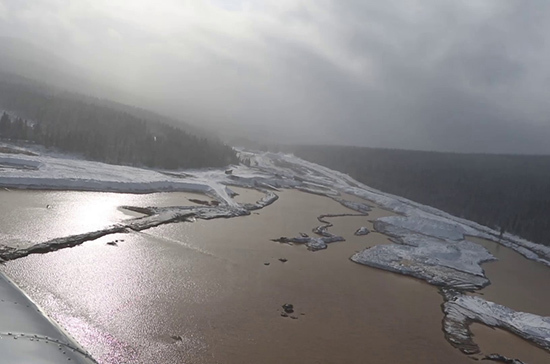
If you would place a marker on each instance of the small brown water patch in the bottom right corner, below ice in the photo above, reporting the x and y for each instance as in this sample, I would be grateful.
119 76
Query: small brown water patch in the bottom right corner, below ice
504 343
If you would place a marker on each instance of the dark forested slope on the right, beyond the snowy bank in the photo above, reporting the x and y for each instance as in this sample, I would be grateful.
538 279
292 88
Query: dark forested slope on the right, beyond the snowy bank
508 192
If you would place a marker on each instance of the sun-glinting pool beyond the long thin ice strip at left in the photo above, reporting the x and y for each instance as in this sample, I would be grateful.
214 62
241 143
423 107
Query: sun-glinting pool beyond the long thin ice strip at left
30 217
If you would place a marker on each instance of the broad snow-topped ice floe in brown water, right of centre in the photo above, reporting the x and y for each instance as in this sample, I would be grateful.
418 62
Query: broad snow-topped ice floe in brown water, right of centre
434 252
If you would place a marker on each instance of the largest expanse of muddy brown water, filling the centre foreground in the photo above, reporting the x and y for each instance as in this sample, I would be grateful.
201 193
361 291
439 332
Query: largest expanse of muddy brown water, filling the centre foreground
202 293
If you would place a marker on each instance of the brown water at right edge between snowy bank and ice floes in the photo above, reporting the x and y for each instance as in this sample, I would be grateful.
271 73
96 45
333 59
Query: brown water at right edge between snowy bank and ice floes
516 282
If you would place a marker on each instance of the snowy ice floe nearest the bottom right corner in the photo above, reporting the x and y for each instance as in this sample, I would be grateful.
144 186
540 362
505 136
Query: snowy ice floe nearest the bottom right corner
461 310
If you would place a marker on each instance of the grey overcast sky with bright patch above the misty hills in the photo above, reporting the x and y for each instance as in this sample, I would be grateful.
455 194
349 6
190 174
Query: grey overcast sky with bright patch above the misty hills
467 75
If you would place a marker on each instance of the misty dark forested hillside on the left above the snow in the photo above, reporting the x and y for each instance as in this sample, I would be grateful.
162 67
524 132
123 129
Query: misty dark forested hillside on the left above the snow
71 123
